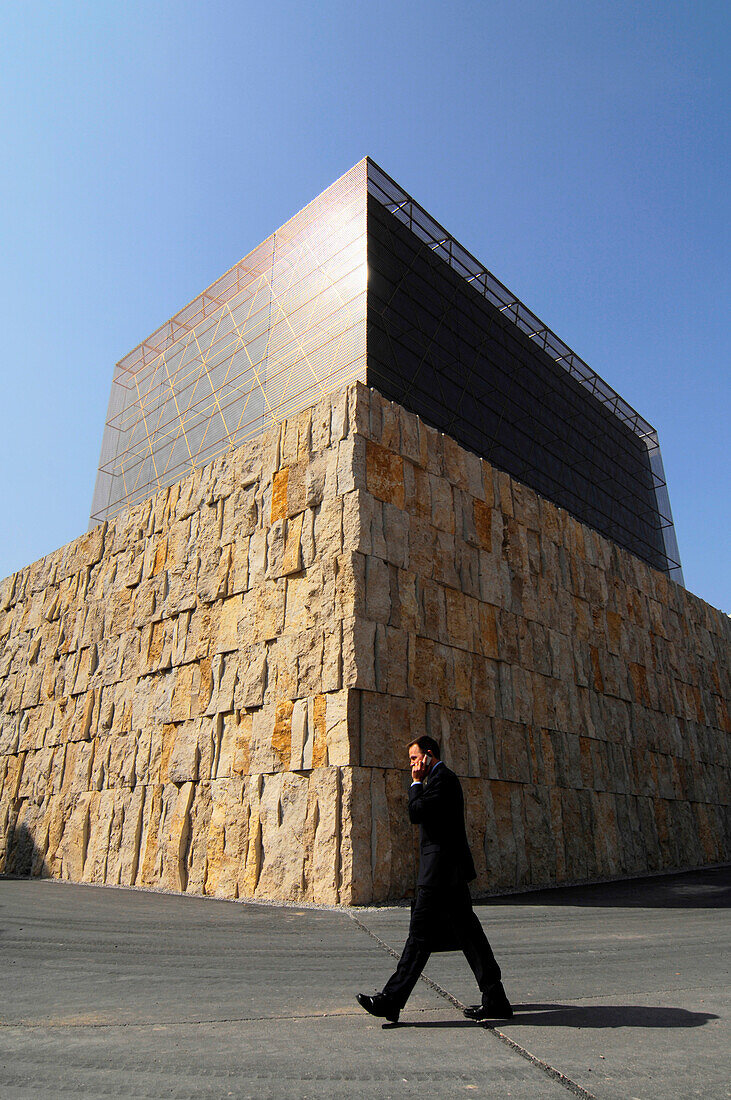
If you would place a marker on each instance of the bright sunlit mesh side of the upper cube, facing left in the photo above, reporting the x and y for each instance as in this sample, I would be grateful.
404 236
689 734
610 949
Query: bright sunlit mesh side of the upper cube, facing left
276 333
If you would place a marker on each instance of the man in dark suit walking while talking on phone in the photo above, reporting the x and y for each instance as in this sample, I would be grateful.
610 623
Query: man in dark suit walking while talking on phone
442 909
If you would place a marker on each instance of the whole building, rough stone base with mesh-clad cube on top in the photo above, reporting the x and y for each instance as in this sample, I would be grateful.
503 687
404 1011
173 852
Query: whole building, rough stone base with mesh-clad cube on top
353 493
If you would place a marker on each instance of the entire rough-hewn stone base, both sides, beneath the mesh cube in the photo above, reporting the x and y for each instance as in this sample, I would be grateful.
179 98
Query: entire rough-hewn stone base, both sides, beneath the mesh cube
214 694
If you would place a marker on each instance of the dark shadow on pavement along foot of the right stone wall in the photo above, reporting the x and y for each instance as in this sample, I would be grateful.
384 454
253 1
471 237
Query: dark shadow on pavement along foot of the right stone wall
706 889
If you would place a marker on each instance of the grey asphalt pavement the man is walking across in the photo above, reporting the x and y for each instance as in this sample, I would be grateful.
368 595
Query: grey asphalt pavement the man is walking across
622 992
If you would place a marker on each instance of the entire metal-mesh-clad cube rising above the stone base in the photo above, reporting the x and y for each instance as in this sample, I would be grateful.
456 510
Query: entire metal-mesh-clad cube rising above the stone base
363 284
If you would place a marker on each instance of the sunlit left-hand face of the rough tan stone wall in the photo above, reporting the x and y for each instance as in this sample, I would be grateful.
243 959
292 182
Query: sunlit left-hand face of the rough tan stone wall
172 685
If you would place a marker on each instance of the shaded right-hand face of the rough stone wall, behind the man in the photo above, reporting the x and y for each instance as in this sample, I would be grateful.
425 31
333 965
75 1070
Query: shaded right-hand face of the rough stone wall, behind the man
582 696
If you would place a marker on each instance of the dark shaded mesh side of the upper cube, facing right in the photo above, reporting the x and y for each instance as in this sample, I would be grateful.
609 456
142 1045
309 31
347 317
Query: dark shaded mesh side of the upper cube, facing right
451 343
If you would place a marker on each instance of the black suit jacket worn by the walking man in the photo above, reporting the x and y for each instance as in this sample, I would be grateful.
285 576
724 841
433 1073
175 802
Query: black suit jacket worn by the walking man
438 809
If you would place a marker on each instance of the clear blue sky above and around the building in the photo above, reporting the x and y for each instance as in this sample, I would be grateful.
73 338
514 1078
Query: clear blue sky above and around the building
580 150
